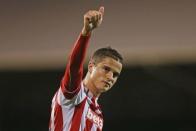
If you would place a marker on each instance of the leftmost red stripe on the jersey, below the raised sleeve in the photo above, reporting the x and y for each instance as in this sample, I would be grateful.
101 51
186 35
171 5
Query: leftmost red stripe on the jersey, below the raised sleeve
58 118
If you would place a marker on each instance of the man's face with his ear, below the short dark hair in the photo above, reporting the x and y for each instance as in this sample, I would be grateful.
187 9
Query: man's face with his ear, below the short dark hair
104 74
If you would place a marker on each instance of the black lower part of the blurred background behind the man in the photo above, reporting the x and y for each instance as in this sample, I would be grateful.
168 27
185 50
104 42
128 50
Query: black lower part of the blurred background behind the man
145 98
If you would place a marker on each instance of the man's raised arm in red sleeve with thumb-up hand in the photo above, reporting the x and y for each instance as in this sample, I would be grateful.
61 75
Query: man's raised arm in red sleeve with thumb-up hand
72 78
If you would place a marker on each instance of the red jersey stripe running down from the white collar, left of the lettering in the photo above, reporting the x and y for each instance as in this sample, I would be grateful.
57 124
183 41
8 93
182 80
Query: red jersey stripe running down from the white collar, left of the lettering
78 111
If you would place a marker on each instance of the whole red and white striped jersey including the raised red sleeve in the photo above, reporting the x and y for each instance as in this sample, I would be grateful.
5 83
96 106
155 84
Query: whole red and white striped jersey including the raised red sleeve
73 106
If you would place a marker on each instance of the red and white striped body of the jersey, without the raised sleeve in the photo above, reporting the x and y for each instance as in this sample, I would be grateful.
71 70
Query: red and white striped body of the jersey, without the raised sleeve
81 113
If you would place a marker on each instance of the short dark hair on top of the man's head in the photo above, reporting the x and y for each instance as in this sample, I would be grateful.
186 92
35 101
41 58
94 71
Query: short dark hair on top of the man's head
106 52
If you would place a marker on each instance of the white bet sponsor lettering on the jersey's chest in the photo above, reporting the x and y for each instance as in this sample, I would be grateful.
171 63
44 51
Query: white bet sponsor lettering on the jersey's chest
92 116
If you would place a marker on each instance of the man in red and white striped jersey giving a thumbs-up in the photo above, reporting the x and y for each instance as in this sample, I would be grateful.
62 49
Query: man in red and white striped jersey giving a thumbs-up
74 106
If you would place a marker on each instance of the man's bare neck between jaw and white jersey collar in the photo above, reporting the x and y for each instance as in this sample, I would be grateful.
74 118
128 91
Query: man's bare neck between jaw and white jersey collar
89 84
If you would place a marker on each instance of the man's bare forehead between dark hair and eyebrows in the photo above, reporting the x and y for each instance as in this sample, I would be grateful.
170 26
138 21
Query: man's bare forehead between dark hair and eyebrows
112 63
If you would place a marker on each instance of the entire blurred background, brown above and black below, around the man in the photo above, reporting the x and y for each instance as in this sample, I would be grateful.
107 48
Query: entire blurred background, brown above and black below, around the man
156 90
